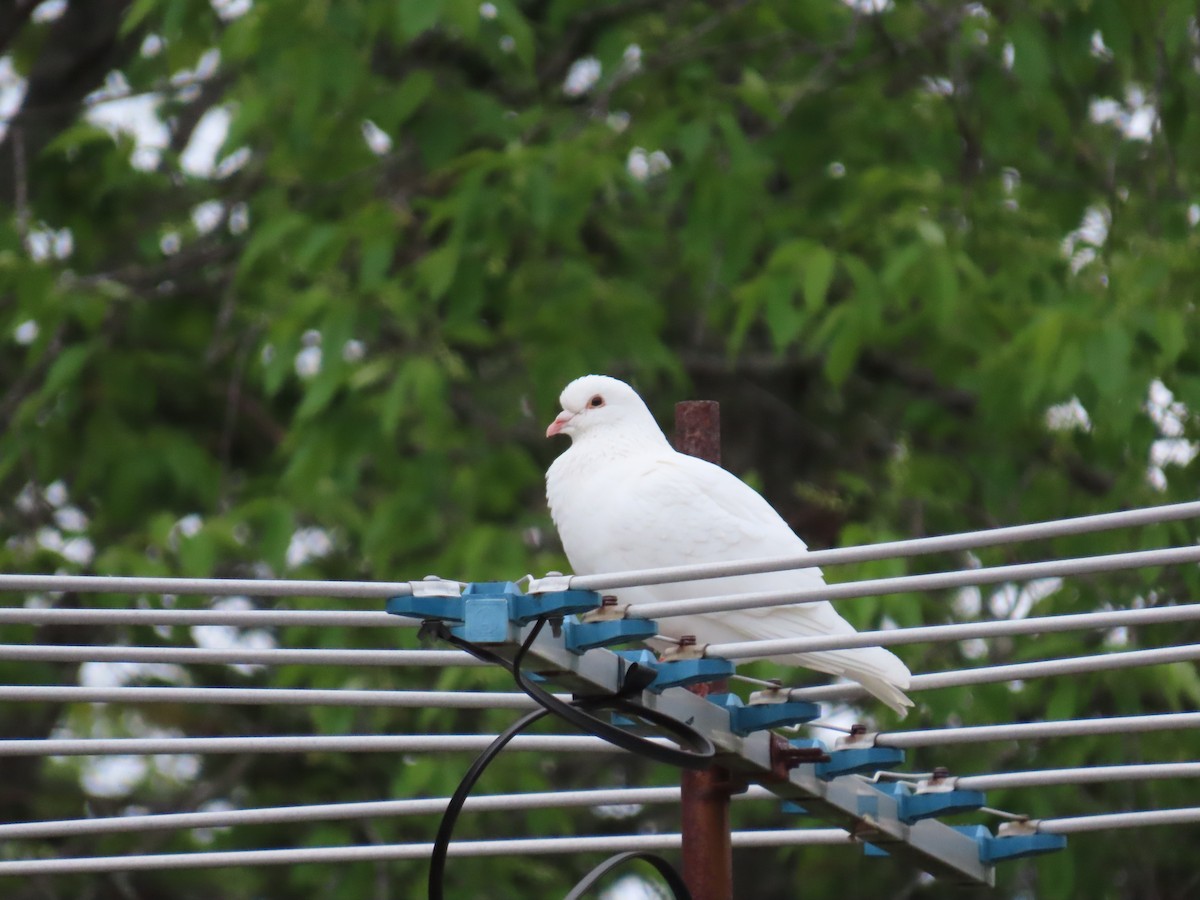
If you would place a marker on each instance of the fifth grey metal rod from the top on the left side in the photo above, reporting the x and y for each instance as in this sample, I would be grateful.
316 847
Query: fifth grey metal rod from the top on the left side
302 745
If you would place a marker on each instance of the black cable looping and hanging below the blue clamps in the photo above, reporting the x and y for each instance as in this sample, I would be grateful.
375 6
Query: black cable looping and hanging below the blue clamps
695 752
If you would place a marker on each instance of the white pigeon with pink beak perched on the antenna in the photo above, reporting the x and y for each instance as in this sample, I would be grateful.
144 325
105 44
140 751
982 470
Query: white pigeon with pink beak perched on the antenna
622 499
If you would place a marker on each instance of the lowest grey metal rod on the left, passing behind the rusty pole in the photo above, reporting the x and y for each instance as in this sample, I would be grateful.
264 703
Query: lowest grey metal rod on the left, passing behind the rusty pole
783 838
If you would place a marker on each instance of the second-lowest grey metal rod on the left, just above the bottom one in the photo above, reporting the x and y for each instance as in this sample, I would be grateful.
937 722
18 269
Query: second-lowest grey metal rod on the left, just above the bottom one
334 812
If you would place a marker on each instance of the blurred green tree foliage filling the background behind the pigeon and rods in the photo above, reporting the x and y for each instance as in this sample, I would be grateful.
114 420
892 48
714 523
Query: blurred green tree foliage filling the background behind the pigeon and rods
938 260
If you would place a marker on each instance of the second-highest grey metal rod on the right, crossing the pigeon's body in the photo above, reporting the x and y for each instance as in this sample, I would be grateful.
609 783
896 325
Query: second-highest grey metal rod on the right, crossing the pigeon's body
904 584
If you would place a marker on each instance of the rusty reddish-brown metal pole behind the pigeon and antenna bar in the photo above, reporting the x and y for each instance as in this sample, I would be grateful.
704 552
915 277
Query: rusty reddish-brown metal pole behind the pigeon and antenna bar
705 808
